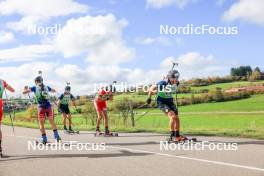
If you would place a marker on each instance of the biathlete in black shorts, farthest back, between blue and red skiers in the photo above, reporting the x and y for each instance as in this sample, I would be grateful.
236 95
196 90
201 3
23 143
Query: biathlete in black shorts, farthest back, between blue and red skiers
63 107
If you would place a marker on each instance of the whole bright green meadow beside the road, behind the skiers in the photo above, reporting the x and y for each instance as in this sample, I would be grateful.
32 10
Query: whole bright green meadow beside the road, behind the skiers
221 119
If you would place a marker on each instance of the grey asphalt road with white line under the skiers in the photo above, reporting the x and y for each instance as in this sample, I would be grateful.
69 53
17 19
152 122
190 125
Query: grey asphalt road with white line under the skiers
132 154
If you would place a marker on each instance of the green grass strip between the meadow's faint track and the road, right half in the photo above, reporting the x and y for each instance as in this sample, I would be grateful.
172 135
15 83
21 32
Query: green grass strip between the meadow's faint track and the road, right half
218 125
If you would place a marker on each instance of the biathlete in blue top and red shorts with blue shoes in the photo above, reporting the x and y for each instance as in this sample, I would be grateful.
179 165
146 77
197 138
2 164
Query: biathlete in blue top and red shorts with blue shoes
42 97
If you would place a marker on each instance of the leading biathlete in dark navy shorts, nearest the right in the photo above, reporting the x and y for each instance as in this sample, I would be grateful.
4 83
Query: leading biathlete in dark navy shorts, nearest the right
165 102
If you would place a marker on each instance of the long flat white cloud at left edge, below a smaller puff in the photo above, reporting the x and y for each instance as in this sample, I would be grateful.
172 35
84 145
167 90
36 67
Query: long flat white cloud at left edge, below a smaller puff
25 52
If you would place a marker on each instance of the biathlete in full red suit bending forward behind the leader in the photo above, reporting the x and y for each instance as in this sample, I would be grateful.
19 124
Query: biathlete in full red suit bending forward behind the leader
100 103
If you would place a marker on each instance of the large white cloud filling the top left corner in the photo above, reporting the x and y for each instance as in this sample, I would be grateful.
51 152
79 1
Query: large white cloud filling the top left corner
34 12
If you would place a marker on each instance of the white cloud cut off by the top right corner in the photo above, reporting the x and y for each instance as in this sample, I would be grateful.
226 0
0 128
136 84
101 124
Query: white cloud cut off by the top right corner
246 10
